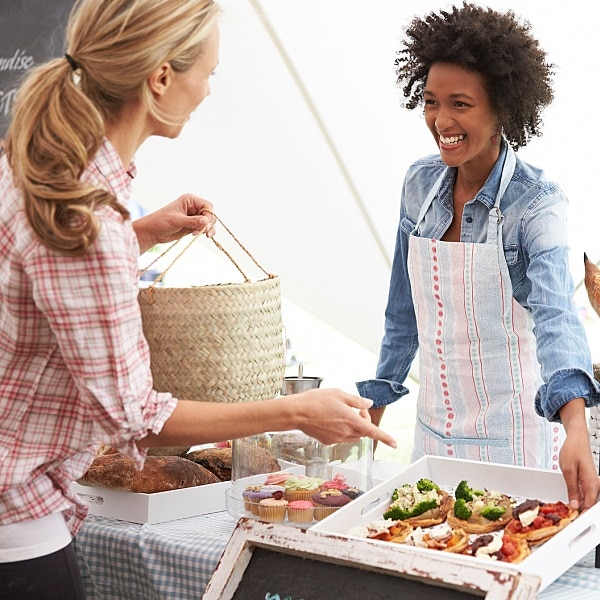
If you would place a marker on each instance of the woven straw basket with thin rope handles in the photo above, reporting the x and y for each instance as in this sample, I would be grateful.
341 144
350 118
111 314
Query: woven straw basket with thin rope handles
216 343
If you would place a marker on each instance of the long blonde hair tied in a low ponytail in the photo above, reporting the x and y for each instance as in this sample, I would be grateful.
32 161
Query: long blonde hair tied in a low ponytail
60 111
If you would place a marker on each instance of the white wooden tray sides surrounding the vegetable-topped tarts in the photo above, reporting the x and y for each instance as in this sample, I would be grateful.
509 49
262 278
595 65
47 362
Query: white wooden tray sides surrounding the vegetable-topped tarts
548 561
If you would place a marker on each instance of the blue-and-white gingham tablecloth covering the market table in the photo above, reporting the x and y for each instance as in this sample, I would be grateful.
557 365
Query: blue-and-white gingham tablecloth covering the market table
176 559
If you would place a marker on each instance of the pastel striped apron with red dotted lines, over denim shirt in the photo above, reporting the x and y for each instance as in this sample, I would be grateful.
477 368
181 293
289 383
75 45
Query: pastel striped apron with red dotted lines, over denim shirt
477 353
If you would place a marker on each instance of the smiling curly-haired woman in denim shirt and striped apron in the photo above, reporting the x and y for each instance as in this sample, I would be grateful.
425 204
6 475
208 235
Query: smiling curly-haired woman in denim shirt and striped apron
480 282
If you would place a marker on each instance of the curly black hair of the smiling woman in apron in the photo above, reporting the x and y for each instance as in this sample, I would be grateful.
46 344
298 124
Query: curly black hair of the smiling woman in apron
496 45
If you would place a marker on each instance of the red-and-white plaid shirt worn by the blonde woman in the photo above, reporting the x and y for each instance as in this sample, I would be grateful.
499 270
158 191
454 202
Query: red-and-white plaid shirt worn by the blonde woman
74 363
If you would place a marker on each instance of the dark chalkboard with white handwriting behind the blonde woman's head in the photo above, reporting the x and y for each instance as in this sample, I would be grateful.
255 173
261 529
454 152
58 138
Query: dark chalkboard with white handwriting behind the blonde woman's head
31 32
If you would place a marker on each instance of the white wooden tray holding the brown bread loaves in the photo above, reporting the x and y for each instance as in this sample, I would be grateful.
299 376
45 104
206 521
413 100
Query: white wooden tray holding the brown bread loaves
157 507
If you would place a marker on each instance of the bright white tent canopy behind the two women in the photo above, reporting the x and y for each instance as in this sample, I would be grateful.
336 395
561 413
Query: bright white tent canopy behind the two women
303 144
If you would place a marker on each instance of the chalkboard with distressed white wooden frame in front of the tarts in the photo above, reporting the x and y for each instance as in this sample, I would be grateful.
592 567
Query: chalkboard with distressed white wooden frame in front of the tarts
265 561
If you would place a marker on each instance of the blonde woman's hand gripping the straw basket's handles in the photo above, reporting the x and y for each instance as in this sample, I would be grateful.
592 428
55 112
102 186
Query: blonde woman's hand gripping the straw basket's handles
187 214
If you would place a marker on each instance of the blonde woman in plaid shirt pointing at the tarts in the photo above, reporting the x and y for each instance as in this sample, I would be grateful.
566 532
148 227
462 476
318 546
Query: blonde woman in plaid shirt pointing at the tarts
74 365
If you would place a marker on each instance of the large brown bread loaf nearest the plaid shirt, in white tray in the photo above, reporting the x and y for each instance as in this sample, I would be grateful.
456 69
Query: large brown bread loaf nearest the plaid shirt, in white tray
160 474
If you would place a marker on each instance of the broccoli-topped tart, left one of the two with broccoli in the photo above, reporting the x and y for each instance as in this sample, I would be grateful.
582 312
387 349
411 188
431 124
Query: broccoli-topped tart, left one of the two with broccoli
423 504
